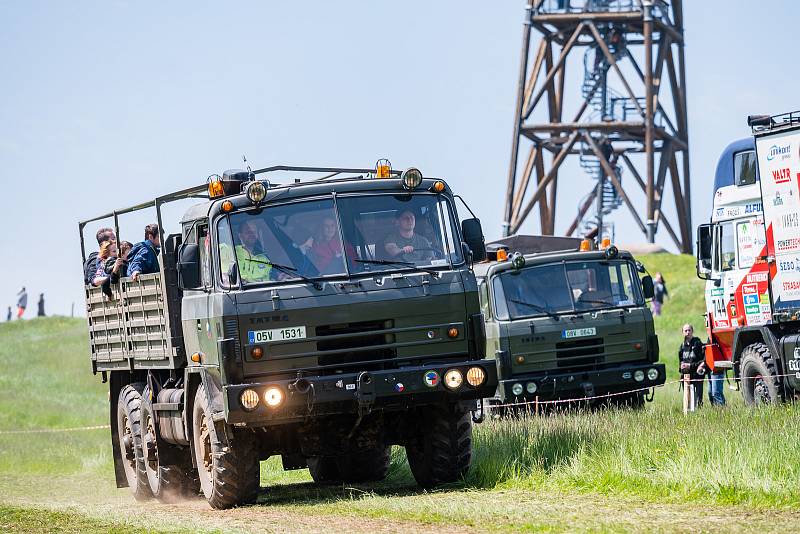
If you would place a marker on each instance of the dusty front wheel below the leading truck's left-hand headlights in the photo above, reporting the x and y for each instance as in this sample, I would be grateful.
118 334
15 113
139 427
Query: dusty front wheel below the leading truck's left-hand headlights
229 475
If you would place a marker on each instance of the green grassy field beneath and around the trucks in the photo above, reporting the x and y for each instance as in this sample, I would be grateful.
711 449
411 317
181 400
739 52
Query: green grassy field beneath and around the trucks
611 470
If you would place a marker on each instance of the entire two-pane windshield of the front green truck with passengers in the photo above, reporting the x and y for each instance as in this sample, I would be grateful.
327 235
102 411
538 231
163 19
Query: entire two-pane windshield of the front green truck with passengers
307 239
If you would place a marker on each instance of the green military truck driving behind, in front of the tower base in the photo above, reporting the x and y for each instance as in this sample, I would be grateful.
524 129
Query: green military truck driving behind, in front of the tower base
565 323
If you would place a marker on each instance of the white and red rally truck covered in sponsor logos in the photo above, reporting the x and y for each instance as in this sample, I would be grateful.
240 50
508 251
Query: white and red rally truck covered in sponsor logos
749 255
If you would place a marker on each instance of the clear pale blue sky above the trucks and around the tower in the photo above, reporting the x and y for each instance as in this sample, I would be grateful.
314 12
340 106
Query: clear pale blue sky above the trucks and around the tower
105 104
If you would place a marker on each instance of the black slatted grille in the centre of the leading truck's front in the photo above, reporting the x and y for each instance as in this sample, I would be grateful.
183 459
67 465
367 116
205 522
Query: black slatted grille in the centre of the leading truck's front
349 344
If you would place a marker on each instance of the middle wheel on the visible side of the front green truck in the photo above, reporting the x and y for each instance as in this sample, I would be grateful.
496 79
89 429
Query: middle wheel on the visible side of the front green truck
168 483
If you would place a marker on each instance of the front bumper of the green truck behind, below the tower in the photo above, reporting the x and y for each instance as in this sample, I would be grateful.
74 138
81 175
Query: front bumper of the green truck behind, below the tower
576 385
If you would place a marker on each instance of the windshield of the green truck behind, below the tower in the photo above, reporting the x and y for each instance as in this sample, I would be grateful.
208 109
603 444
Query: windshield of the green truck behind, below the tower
566 287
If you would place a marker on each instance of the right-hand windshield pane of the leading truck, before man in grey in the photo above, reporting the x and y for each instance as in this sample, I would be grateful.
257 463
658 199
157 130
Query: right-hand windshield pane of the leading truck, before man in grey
396 231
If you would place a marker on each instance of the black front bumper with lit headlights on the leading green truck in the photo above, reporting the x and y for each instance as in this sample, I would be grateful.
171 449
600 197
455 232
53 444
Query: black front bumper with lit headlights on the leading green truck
357 393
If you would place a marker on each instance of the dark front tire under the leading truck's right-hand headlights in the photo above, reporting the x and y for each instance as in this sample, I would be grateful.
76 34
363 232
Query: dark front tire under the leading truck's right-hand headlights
442 452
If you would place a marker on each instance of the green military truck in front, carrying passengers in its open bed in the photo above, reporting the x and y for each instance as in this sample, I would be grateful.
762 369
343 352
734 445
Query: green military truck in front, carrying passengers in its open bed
281 323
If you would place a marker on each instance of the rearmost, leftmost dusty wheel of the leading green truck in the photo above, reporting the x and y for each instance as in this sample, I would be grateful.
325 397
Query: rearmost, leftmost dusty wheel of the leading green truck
129 436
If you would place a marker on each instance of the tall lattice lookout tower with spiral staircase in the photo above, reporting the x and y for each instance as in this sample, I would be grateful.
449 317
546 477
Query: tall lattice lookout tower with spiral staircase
616 117
